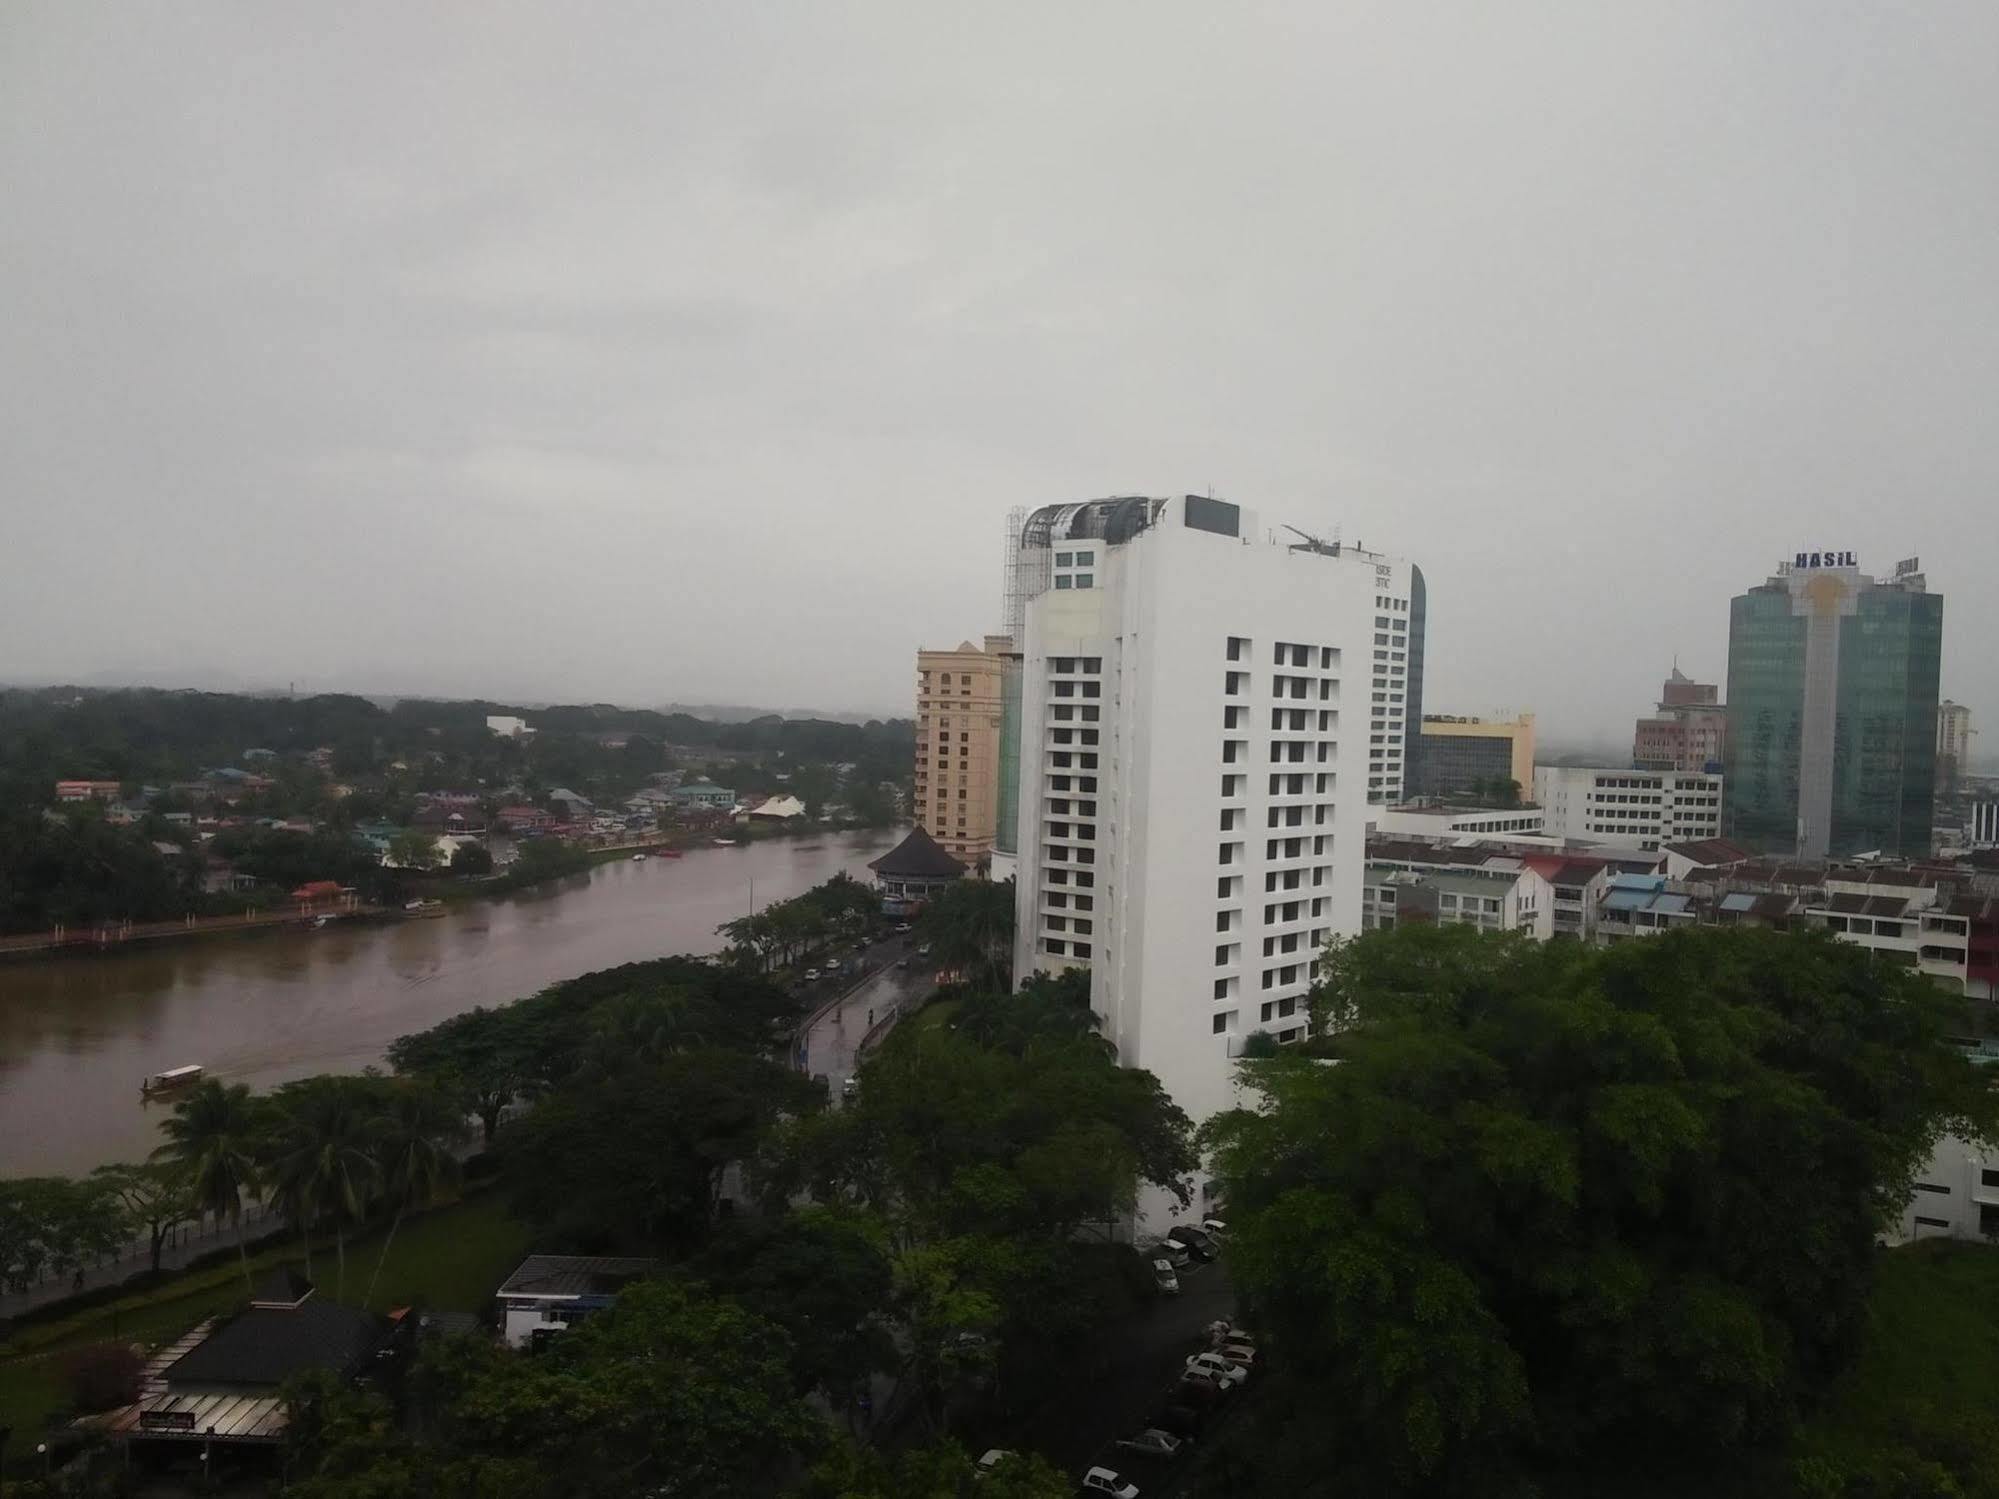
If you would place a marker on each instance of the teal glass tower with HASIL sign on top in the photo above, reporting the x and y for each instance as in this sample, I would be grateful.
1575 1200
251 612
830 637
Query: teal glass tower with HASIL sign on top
1832 733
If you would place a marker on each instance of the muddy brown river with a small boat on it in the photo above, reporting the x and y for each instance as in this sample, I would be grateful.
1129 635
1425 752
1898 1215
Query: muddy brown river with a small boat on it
79 1034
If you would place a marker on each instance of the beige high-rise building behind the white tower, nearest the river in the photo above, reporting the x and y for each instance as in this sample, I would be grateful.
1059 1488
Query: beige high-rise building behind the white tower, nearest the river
959 747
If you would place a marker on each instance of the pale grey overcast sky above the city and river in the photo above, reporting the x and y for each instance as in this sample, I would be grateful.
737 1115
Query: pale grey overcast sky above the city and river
697 351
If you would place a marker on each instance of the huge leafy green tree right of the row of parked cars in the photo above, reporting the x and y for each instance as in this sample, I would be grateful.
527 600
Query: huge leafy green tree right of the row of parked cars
1572 1208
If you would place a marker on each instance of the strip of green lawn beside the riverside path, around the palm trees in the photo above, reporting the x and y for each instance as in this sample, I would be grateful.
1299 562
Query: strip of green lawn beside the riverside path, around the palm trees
449 1260
